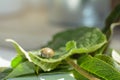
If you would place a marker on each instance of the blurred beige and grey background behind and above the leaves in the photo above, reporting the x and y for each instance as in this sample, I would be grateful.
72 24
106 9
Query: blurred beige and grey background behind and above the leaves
33 22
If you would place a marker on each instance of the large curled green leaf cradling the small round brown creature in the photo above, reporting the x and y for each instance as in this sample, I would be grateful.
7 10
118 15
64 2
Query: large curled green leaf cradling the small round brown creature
81 40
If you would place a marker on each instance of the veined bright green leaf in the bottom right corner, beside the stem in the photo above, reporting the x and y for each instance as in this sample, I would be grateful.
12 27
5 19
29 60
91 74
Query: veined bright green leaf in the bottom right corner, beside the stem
99 68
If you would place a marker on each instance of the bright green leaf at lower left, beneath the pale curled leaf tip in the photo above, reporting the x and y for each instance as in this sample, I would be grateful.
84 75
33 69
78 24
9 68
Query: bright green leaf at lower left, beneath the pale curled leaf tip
22 69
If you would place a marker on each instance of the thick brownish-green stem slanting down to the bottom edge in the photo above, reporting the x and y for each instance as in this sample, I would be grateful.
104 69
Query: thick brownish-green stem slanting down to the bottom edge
80 70
